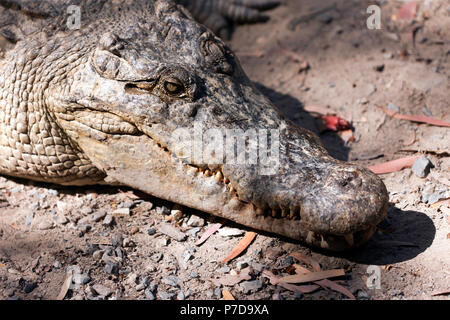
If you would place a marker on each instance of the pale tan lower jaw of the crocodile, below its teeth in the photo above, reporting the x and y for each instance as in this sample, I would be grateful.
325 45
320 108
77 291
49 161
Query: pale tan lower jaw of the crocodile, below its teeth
138 162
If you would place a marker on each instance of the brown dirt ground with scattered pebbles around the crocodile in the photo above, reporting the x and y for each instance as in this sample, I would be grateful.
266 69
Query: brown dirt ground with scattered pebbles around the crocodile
46 230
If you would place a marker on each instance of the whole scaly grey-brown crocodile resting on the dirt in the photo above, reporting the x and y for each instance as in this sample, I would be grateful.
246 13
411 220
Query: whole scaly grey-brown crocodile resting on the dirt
105 103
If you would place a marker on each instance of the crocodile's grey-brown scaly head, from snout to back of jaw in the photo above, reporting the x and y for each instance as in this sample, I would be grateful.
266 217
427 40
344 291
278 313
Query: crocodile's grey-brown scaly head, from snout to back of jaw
153 101
